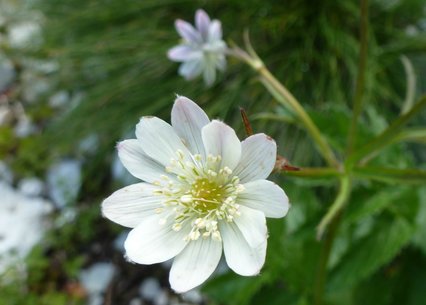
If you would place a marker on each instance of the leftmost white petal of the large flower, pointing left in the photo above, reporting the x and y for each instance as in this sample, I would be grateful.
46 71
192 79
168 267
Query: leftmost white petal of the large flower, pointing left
129 206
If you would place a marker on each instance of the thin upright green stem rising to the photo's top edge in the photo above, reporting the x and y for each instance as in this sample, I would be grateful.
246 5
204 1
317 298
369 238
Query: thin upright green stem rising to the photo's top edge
360 81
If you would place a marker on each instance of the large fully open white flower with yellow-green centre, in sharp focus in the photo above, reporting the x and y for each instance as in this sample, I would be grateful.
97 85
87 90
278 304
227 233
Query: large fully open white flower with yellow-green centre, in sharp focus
204 190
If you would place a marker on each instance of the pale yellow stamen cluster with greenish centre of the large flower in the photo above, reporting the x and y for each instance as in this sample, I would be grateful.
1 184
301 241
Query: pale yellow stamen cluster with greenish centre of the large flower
204 193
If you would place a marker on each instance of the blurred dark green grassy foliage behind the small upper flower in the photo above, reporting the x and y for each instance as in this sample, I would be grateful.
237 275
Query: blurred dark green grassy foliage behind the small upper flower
115 54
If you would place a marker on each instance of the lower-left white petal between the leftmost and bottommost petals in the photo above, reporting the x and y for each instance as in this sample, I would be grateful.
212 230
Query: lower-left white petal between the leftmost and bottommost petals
151 242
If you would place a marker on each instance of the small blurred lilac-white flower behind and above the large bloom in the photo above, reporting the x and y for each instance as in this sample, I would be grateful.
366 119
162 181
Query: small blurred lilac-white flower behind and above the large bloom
202 50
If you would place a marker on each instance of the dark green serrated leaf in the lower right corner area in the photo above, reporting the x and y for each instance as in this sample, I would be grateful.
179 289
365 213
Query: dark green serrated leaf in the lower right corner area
368 254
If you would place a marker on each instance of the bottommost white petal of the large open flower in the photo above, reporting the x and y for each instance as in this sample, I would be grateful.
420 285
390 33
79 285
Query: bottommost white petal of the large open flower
195 264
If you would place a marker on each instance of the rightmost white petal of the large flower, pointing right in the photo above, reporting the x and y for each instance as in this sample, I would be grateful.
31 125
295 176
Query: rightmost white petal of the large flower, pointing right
265 196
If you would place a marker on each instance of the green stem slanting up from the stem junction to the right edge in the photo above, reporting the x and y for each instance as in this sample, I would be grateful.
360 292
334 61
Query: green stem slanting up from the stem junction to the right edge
387 136
